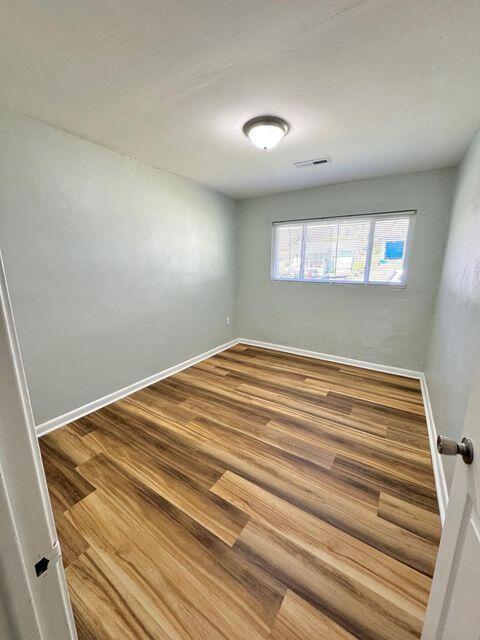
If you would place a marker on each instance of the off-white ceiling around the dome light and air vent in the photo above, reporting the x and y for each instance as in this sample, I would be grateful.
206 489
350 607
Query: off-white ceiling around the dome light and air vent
380 86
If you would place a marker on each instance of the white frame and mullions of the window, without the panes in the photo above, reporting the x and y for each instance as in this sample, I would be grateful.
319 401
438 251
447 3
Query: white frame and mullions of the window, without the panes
373 217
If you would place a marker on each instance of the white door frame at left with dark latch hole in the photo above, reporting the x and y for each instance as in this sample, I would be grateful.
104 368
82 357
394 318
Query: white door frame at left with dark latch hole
34 598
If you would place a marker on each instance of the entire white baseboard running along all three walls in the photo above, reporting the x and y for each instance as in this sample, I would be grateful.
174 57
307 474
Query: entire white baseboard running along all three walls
440 483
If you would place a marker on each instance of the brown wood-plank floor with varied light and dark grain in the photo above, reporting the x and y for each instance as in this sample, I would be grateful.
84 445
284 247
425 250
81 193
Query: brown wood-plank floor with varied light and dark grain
256 495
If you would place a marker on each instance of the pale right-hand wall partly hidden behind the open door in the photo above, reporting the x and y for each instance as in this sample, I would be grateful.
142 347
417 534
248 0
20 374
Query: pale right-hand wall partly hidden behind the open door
455 338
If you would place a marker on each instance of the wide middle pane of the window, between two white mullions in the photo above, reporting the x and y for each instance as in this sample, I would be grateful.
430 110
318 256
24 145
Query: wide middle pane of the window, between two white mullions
337 251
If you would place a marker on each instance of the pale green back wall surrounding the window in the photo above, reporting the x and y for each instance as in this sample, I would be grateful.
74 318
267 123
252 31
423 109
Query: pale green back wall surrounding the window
379 324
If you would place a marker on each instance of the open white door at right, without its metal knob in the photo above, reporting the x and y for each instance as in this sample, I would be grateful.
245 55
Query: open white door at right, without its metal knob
454 607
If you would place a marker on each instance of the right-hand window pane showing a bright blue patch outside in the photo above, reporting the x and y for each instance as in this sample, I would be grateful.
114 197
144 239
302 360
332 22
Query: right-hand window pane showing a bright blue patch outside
388 251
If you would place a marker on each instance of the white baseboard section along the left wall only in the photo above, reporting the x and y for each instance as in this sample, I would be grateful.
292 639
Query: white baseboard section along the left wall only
75 414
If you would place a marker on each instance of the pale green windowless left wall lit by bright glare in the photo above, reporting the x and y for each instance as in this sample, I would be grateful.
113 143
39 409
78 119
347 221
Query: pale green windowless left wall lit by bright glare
116 270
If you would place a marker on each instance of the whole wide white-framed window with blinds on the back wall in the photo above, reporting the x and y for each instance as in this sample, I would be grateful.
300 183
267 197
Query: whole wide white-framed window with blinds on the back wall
370 249
